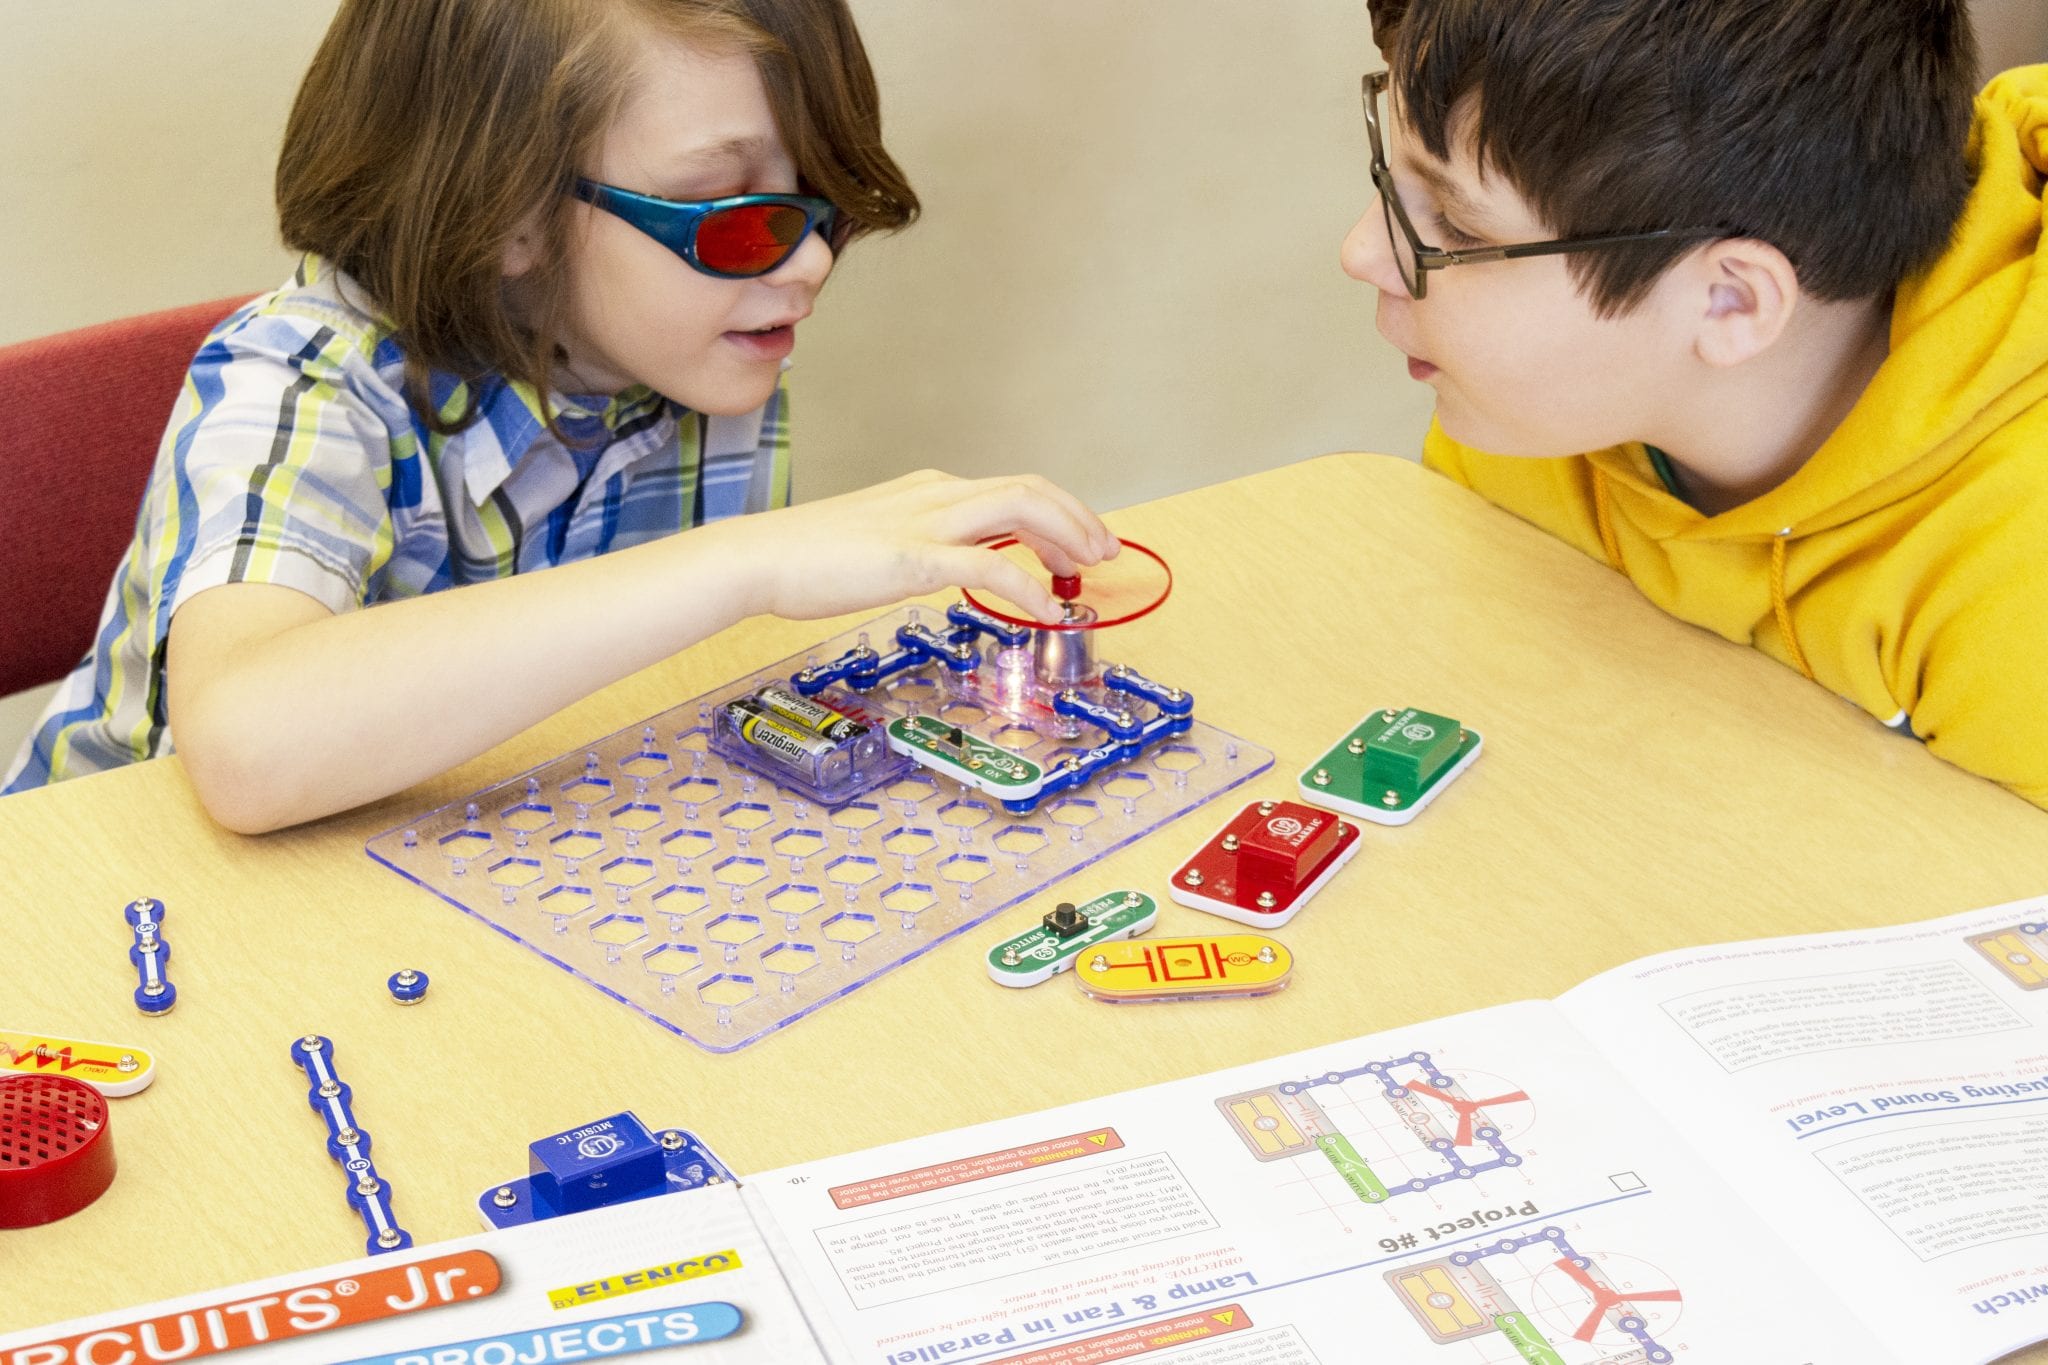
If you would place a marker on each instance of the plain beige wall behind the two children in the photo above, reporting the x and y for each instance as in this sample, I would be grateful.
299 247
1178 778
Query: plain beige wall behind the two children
1125 275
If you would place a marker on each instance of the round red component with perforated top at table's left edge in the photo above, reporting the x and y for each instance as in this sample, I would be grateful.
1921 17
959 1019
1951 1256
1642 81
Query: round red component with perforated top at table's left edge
56 1149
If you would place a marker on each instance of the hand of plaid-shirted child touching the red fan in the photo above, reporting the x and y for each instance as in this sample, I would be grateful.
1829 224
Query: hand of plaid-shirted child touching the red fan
916 535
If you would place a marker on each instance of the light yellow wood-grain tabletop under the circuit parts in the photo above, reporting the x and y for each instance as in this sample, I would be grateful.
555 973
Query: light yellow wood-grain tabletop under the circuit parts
1646 787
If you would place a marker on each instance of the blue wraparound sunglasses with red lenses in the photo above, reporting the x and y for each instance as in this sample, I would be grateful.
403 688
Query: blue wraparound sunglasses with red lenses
734 238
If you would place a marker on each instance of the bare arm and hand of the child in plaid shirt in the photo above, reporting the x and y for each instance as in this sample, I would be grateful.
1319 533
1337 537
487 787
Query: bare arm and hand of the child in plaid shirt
286 711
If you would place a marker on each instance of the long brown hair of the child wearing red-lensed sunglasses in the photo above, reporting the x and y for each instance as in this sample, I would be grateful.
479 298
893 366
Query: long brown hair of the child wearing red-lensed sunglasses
429 132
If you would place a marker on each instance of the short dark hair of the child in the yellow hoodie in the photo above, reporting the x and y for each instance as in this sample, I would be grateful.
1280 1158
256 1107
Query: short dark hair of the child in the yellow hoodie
1832 130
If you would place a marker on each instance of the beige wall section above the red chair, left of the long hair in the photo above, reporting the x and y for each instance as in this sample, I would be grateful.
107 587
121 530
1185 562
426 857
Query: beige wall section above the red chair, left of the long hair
138 152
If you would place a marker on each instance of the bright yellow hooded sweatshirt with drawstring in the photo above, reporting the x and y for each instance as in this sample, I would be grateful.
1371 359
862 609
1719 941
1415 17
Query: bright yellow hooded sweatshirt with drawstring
1906 566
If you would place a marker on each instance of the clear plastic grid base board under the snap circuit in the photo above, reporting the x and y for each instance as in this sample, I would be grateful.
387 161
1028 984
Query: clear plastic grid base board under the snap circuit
728 908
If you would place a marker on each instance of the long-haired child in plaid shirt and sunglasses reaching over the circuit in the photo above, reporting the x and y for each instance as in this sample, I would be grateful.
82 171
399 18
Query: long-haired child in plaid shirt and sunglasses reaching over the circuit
556 253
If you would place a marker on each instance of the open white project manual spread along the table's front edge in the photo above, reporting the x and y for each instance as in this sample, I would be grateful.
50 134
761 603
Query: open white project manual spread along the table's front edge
1807 1151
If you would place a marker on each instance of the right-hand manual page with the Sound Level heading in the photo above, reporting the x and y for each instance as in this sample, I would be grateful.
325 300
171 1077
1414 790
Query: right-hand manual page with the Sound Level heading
1881 1098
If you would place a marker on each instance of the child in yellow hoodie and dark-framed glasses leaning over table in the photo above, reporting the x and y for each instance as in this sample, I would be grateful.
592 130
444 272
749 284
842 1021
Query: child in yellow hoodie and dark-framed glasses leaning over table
1746 300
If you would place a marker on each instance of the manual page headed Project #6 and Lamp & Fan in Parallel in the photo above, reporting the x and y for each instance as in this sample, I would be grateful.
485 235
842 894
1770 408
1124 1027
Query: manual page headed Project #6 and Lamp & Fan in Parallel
1478 1190
